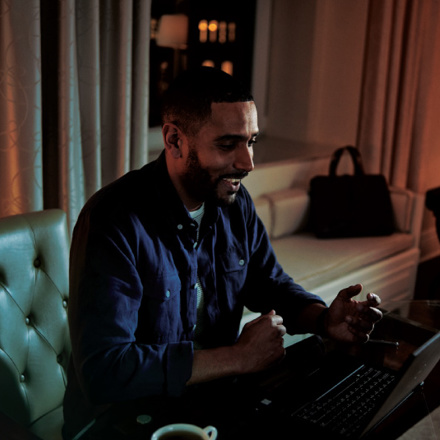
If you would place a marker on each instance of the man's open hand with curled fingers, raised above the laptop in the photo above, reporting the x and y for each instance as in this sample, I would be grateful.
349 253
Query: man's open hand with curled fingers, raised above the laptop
350 320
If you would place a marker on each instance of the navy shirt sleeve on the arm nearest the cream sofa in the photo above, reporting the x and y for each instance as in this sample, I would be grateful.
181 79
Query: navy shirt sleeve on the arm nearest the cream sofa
268 286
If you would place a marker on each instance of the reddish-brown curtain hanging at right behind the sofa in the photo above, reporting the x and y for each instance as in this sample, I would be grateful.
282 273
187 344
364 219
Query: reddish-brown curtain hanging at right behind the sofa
400 92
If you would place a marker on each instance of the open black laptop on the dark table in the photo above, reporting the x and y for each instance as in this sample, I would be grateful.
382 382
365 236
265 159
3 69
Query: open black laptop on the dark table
346 398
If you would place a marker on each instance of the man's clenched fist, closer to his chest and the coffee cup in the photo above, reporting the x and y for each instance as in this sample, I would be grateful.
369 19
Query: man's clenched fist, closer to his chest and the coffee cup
260 344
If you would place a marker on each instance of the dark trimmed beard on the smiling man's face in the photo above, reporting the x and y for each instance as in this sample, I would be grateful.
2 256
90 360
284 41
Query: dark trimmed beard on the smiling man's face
201 187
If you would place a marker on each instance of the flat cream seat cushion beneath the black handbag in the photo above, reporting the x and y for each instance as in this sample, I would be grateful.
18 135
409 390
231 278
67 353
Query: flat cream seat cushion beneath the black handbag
312 262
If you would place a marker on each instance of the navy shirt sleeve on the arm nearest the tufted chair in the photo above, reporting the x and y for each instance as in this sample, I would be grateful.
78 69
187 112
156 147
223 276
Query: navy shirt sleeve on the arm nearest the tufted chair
105 297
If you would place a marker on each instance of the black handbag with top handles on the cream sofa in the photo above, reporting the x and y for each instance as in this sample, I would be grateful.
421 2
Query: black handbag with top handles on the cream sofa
357 205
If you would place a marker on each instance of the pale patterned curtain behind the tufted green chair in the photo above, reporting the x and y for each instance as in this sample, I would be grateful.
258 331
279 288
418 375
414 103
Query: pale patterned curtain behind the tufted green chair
74 99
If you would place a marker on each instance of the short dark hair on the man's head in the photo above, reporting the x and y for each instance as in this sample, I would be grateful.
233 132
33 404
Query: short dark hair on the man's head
187 101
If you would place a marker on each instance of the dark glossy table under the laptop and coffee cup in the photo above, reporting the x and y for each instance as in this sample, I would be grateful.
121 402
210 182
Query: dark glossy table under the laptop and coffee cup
229 404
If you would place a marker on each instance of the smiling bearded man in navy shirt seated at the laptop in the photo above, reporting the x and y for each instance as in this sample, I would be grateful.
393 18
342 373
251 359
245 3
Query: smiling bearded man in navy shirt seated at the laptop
164 259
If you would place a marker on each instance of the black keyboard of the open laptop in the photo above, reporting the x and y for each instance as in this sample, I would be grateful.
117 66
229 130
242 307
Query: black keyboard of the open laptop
343 408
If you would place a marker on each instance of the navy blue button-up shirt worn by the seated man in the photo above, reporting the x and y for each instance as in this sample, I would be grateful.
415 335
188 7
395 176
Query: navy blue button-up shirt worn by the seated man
134 268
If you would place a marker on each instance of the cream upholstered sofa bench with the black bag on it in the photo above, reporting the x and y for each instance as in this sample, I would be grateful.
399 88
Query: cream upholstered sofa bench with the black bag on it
386 265
